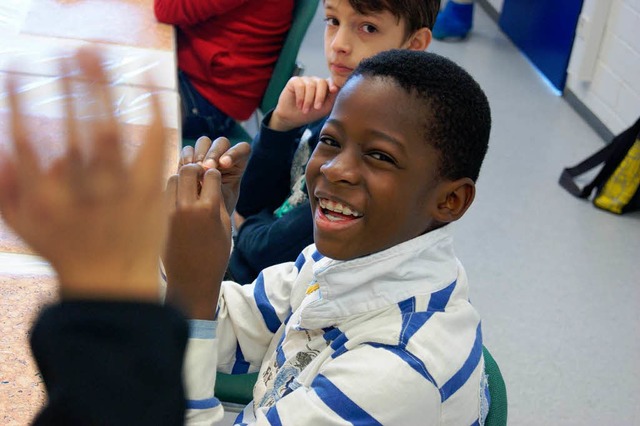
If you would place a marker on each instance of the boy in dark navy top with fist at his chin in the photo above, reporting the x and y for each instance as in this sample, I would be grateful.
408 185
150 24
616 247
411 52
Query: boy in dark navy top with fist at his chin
272 214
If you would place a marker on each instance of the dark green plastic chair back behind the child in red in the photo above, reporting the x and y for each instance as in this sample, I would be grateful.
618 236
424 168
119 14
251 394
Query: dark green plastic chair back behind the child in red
286 67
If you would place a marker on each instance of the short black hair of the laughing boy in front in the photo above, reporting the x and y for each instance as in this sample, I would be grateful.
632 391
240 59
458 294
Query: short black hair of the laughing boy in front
457 117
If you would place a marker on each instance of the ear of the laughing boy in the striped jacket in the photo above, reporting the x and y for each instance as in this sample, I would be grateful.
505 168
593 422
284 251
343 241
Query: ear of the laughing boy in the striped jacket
454 199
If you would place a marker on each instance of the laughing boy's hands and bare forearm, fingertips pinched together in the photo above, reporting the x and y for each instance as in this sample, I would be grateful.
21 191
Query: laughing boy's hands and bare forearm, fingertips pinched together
201 198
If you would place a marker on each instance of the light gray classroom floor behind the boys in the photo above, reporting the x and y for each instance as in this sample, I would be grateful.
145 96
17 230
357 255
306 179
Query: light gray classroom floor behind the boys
556 280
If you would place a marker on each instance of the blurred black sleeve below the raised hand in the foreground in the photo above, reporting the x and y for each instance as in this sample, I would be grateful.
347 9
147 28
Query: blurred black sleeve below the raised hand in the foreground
111 363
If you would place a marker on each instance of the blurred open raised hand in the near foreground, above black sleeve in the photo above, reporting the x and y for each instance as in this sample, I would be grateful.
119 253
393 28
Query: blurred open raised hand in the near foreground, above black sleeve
97 219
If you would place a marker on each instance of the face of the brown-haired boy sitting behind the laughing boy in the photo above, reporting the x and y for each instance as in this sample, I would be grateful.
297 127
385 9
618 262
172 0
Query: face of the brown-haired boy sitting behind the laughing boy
351 36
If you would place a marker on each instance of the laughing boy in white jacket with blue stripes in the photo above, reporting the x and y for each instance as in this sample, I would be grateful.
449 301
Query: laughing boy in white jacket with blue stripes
371 324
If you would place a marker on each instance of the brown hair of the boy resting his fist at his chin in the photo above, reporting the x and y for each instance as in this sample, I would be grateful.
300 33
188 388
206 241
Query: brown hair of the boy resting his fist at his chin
416 13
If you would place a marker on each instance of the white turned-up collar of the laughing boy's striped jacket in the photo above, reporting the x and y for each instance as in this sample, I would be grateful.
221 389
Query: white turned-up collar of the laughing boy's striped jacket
419 266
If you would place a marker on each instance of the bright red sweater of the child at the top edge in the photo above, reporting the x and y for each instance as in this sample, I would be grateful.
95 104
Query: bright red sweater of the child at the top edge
228 48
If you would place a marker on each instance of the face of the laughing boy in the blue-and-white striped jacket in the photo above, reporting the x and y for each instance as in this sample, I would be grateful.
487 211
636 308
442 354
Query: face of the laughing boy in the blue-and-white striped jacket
373 180
